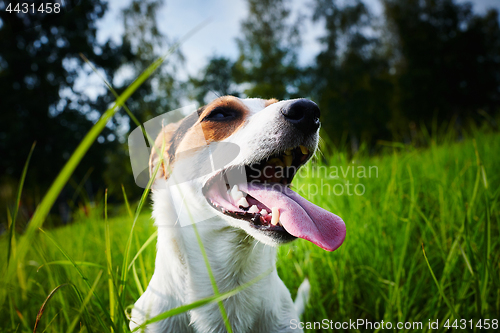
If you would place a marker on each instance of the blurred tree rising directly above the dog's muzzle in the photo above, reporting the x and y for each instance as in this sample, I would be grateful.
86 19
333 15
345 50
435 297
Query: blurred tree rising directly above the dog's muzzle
268 50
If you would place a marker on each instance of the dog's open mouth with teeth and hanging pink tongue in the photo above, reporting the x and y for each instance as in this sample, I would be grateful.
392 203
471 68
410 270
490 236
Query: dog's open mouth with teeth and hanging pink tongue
265 200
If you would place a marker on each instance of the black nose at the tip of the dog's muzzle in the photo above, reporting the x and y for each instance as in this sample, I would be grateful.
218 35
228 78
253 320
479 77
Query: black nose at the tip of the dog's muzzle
302 114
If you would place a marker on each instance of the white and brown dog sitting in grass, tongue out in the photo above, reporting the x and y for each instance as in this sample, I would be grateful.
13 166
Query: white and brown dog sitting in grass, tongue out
208 152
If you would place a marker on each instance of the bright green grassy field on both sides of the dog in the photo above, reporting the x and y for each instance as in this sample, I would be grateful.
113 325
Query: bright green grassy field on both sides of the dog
444 198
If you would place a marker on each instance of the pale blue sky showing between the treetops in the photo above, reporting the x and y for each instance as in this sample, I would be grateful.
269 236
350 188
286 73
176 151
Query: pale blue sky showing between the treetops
218 37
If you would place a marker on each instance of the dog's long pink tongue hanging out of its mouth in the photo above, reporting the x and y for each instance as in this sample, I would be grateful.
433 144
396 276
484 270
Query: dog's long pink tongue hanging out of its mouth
300 217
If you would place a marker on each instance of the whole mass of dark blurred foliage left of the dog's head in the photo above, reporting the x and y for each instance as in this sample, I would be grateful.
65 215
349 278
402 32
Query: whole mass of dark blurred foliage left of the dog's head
41 62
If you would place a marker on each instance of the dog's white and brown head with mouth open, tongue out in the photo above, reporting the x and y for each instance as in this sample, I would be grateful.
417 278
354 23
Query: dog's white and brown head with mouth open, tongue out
236 158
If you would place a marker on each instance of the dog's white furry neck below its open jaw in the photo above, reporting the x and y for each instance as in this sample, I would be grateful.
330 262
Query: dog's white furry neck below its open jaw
234 257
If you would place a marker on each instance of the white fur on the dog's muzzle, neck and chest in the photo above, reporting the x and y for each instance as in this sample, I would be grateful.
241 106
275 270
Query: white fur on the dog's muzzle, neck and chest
237 253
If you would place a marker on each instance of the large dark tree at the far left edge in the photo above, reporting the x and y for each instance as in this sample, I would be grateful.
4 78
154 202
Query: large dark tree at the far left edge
39 64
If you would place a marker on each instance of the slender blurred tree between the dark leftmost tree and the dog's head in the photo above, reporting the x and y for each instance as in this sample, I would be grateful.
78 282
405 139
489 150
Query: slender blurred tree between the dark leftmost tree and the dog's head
158 94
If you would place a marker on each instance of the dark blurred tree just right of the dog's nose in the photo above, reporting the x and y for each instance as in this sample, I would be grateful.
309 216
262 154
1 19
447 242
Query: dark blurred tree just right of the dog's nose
350 80
